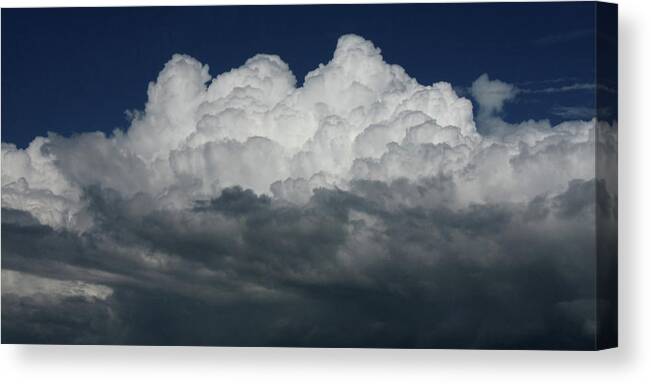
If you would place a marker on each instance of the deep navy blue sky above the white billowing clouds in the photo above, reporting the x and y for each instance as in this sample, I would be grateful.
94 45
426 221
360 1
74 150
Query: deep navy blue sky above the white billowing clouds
71 70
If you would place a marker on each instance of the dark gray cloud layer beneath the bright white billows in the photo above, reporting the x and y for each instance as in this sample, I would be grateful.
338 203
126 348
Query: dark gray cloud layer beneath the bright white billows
369 267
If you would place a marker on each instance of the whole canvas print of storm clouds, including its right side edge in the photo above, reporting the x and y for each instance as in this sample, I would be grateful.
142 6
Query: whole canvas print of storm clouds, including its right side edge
367 176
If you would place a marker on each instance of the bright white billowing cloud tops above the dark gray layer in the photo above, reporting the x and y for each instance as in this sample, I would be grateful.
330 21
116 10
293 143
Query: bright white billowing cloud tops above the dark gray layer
356 117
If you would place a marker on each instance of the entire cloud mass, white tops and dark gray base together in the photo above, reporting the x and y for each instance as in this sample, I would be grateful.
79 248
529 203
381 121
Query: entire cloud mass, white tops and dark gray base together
358 209
